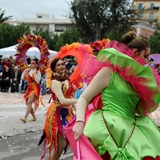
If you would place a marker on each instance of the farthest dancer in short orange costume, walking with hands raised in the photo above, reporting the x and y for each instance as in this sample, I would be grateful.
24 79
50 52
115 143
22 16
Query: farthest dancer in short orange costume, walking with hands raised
33 76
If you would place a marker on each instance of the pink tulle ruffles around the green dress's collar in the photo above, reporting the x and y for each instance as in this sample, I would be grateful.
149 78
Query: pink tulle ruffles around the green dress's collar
91 66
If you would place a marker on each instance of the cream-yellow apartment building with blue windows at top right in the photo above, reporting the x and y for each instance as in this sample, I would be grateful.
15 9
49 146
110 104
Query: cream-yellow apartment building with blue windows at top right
148 10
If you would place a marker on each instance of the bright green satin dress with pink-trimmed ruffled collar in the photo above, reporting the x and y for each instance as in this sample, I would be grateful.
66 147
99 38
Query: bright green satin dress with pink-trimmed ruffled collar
121 126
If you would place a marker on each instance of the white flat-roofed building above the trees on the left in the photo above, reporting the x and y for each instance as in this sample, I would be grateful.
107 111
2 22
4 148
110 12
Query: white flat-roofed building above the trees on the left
56 25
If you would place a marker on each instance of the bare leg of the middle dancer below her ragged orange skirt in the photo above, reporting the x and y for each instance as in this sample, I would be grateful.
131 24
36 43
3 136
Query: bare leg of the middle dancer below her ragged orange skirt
61 147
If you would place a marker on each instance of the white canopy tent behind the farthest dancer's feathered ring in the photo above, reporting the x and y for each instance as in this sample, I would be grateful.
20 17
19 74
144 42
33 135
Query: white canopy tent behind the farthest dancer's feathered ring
33 52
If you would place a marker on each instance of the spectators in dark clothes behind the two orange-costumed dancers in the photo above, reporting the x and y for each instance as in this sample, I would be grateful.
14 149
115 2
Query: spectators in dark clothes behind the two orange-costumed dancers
10 75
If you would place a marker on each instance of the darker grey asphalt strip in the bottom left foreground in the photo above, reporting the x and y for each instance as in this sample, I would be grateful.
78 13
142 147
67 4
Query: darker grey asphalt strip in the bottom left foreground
24 147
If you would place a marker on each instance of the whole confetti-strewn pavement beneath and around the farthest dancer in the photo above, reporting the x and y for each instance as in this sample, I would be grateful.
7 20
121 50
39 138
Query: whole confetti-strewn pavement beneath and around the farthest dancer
18 141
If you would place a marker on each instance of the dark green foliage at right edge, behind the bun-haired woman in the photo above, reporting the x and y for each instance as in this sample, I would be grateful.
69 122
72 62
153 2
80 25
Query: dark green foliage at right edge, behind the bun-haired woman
154 42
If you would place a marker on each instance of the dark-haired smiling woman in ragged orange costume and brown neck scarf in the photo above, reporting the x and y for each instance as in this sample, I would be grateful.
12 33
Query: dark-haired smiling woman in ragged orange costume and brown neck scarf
60 111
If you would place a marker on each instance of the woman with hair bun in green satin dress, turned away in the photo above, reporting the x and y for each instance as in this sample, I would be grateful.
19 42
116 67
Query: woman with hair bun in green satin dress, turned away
121 129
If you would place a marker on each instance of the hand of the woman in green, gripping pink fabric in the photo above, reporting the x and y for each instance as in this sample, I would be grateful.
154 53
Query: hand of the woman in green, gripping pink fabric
78 130
